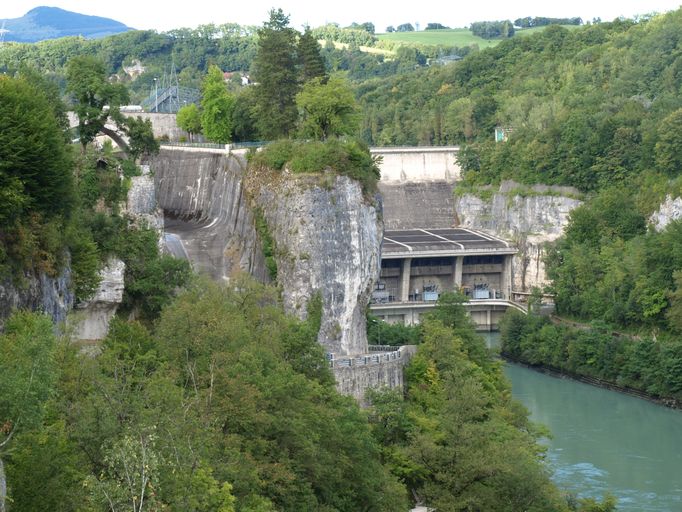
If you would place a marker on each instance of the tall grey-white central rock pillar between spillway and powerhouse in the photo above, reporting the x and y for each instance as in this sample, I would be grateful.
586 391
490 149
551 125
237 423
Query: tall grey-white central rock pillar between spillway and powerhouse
328 241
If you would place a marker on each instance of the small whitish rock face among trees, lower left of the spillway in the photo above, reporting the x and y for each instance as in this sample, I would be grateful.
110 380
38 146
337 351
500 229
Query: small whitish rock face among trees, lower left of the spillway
101 308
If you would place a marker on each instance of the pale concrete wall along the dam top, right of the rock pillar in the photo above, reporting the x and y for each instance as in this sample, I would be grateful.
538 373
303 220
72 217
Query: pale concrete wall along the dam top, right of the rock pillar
418 164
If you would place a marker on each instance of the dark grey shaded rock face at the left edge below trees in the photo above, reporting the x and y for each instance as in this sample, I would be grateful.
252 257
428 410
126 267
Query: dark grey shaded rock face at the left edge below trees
38 293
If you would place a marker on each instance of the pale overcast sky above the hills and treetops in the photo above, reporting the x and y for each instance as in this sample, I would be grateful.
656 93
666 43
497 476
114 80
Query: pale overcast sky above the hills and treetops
174 14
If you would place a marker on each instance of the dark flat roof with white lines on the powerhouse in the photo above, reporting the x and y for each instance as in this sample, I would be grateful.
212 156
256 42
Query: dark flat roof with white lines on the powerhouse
441 242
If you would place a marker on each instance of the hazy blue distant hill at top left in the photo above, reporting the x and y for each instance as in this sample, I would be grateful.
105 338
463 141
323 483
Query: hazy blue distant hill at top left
52 22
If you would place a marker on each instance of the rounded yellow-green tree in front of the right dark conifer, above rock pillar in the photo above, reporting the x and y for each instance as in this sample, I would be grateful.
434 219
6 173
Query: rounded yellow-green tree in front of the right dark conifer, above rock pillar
328 109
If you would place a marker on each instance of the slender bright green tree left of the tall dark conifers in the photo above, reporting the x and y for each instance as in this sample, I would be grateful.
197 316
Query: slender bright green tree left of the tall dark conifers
217 105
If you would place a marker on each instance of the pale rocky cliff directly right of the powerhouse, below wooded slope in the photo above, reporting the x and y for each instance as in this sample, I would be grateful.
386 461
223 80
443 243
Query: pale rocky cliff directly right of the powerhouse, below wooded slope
530 221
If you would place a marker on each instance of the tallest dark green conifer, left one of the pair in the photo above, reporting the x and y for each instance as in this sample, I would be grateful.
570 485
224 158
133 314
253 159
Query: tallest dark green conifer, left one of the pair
275 72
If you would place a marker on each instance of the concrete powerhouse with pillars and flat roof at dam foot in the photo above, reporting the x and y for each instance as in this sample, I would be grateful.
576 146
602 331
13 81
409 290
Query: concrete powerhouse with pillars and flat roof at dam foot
417 265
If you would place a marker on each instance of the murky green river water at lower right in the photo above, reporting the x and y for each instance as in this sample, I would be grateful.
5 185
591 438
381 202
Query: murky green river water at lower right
605 441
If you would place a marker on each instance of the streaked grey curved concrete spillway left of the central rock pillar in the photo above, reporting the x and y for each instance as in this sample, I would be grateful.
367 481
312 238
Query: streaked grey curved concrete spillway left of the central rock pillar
202 197
